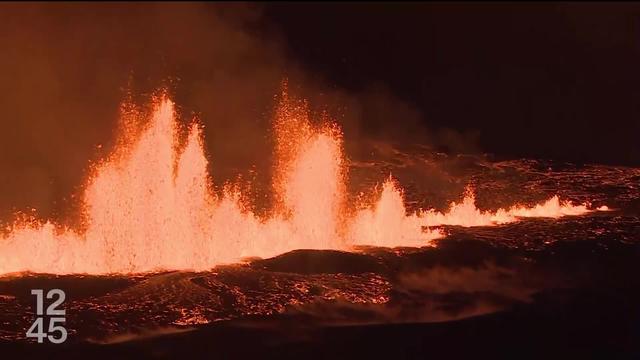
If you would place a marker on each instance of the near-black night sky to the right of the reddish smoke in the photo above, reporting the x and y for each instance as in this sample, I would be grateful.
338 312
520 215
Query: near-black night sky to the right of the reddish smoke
553 80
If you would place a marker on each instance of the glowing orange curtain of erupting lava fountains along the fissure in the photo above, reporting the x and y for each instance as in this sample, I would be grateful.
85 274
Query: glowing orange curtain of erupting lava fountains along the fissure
150 206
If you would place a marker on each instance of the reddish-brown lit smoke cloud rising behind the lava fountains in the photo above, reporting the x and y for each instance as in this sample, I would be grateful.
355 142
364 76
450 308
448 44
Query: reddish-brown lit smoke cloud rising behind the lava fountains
65 68
